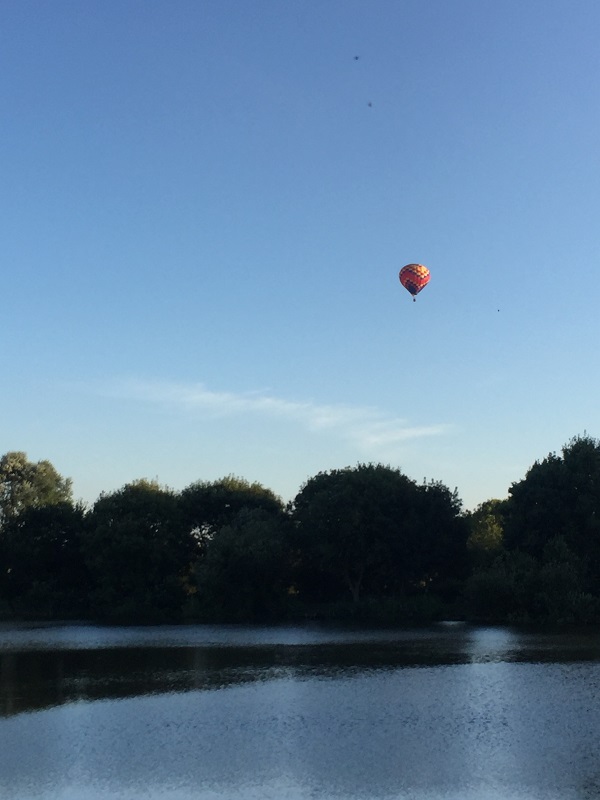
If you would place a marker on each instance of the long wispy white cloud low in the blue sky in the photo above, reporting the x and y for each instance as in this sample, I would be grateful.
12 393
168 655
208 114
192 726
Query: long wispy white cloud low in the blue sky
368 428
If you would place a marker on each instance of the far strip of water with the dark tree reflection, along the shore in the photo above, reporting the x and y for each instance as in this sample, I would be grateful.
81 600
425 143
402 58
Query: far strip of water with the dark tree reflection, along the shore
48 666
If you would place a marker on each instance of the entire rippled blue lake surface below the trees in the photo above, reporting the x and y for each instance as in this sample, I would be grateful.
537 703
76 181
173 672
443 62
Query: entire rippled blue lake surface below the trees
451 712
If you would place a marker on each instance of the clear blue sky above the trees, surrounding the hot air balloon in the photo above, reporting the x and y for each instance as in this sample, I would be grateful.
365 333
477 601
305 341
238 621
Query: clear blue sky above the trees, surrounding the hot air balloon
205 205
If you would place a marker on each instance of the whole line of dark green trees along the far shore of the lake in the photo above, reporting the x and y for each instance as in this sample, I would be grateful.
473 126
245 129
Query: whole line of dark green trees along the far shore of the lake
363 544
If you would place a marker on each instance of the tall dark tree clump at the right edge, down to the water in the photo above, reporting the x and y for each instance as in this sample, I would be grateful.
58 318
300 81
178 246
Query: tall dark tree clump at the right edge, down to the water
548 568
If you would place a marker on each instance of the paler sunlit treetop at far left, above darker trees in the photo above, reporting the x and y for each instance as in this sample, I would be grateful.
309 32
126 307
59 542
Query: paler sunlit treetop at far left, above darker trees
27 484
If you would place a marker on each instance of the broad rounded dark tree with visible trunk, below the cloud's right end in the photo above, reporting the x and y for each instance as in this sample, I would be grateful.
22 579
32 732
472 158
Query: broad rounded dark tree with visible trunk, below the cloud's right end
373 530
